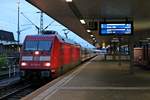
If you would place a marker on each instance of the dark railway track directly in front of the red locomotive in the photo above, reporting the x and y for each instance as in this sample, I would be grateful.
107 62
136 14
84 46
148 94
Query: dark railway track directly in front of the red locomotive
16 91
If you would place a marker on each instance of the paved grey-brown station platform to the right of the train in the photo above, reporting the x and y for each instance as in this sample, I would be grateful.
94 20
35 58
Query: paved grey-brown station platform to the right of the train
97 80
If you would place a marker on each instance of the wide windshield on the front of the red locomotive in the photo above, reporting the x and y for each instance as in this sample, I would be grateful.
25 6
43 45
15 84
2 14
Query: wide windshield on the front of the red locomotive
37 45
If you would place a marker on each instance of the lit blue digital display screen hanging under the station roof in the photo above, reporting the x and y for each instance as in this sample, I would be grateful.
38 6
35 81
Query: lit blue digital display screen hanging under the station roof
115 29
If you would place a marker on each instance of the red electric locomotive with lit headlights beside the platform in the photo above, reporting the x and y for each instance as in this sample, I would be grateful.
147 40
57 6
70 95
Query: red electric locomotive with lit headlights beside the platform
48 56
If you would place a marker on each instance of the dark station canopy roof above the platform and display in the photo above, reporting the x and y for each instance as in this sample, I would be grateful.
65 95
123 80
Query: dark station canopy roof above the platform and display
69 14
